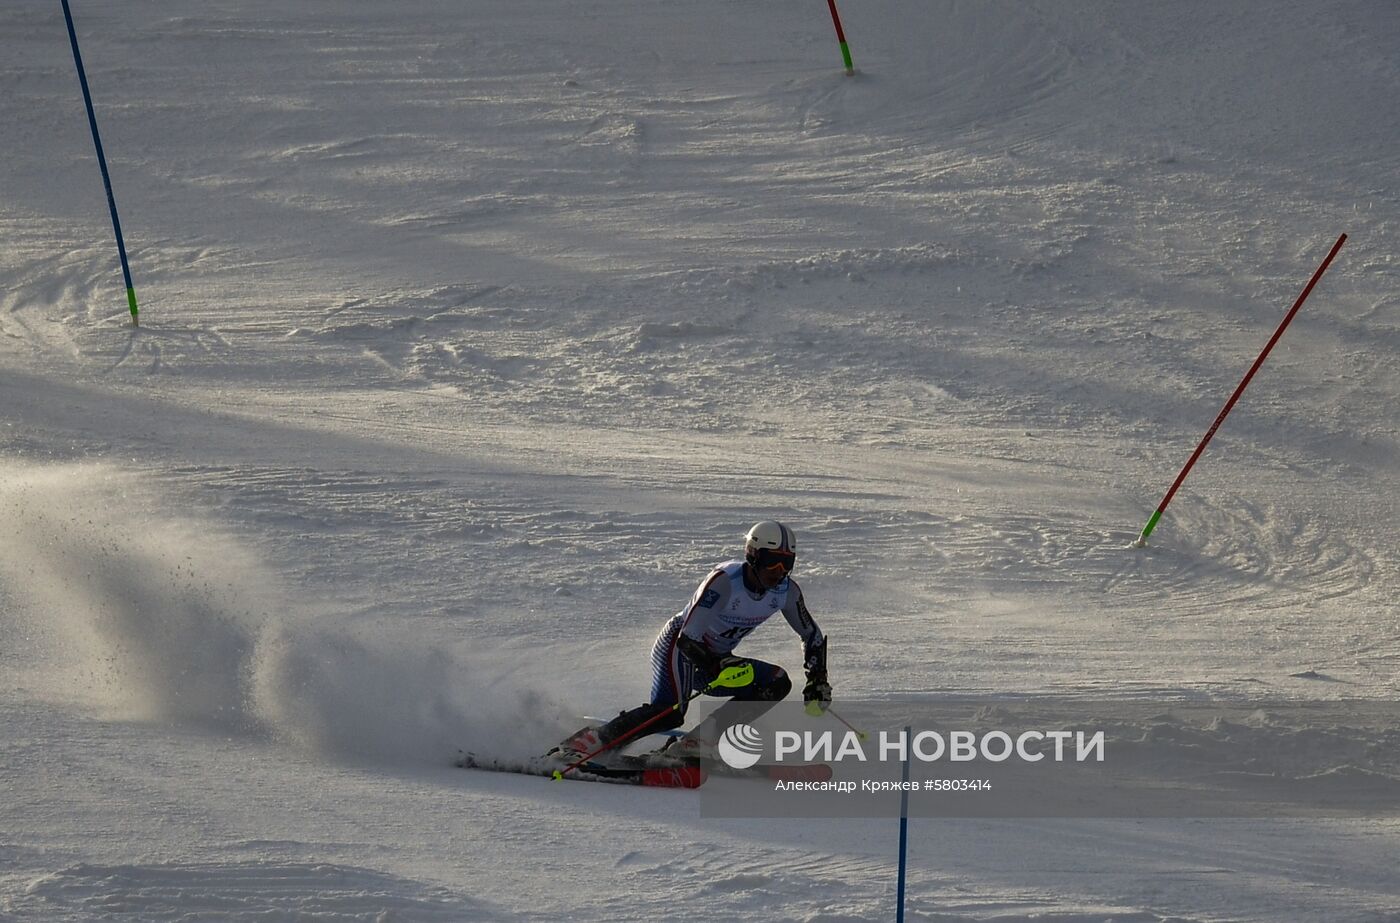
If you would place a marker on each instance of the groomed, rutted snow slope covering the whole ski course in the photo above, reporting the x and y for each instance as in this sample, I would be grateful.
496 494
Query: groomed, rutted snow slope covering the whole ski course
474 334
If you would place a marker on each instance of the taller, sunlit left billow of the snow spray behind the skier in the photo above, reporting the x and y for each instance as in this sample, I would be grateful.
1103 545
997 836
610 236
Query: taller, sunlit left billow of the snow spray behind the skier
129 613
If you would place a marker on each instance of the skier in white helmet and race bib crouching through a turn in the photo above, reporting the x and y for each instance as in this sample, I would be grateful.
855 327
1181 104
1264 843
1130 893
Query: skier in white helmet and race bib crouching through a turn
699 642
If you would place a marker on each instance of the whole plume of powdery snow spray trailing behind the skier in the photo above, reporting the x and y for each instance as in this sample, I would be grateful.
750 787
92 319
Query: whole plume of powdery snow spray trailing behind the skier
134 609
